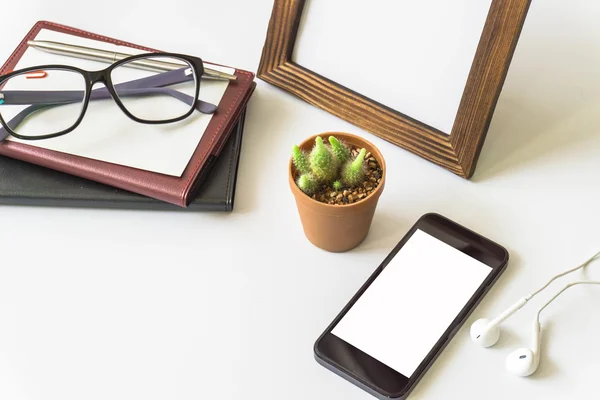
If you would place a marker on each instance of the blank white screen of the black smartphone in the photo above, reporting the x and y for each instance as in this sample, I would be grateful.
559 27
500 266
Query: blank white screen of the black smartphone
406 310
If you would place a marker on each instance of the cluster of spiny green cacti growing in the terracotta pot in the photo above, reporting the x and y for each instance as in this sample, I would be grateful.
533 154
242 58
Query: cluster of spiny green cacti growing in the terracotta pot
328 164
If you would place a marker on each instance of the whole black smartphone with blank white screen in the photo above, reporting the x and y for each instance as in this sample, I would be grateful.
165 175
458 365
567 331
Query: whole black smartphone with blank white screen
392 330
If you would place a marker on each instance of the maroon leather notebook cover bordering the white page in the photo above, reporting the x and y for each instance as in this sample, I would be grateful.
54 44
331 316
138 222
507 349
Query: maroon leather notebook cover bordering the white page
171 189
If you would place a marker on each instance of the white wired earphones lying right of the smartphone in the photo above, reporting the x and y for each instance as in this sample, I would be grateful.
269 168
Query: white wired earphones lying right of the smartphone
522 362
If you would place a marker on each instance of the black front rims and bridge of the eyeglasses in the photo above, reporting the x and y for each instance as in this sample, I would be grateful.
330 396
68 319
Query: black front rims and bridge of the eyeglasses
104 76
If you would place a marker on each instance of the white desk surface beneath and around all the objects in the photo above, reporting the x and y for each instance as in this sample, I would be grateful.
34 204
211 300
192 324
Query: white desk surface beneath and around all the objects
98 304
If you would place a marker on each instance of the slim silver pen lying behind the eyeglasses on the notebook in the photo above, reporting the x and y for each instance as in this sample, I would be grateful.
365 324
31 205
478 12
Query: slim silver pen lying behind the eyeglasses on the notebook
89 53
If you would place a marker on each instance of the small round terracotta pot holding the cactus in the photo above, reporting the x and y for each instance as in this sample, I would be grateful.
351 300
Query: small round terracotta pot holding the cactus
337 228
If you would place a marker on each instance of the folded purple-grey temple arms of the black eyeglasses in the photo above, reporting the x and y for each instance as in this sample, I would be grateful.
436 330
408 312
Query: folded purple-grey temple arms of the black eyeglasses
139 87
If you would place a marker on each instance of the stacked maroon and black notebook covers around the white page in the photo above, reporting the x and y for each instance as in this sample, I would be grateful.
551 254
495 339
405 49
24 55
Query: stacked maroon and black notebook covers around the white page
35 174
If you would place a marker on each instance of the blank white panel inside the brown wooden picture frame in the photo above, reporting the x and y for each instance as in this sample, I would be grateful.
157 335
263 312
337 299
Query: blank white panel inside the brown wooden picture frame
398 53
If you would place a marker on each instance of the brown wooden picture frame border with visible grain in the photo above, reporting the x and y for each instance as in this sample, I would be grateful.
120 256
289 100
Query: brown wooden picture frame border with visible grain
457 151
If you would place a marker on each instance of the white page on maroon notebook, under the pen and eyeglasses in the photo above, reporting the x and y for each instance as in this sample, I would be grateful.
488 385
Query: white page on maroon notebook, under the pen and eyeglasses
107 134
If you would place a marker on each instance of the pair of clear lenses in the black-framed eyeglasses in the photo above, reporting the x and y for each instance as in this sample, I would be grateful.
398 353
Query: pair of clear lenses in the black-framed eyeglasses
152 89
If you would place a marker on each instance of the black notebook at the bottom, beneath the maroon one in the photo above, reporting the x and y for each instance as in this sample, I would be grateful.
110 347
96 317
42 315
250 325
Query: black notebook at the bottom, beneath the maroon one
22 183
